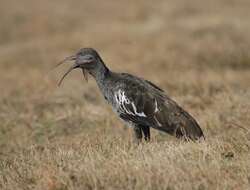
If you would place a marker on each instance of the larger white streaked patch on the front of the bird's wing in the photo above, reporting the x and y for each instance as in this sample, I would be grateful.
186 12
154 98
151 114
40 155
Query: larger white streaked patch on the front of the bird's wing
122 101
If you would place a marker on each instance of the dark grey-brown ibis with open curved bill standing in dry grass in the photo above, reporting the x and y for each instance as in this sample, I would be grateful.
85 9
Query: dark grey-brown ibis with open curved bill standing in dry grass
138 102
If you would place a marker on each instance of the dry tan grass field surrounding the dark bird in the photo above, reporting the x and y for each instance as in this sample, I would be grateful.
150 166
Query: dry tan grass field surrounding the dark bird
67 138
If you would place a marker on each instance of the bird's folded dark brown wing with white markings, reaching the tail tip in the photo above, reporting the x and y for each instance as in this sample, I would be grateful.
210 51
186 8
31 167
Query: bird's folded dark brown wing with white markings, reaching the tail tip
144 105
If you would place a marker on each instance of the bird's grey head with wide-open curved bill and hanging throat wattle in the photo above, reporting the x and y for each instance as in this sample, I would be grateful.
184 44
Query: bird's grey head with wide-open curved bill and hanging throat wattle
86 59
